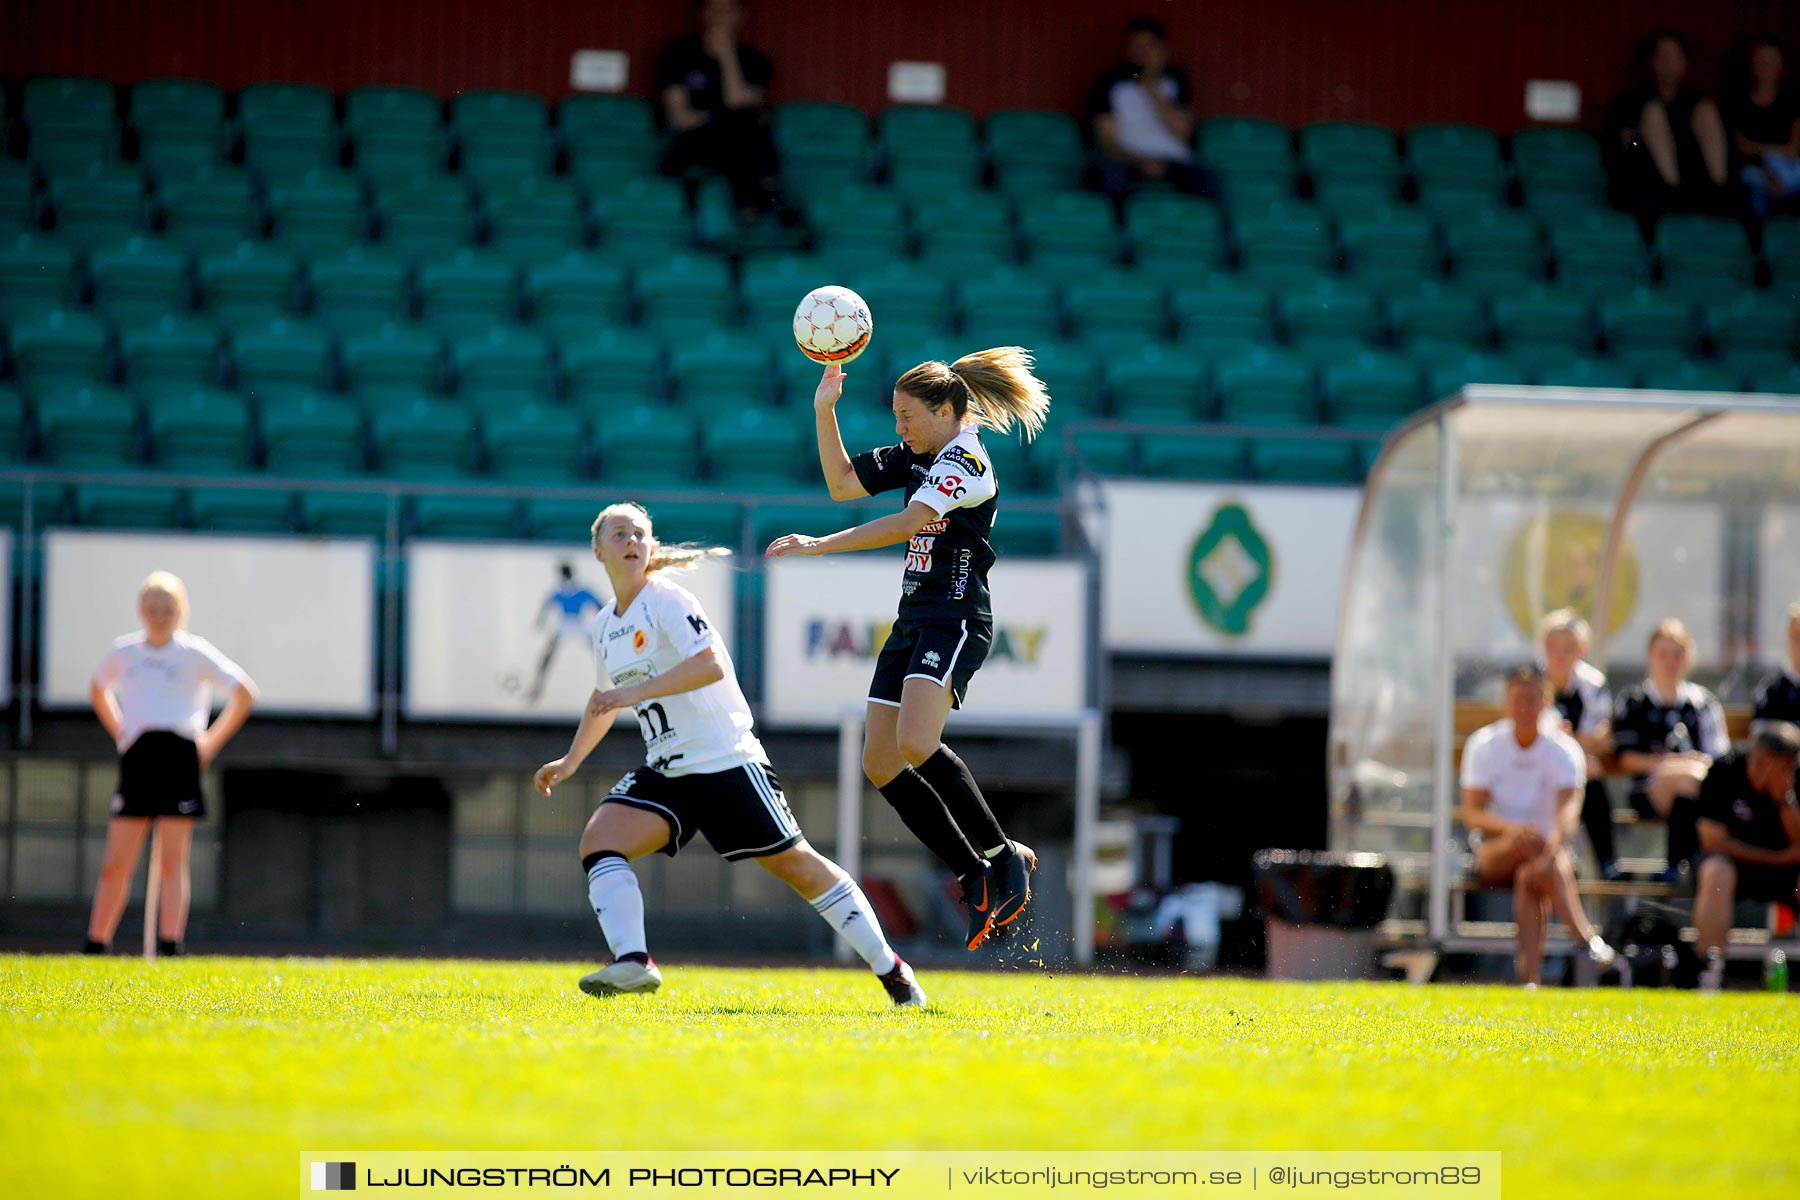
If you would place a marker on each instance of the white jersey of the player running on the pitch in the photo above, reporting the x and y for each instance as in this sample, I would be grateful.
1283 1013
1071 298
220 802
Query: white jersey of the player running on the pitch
706 730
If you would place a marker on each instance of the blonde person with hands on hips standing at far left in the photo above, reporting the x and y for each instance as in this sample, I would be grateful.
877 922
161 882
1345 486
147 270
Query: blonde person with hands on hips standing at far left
154 694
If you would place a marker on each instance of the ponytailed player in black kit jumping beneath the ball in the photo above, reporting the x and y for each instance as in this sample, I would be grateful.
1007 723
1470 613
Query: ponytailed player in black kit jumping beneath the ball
946 622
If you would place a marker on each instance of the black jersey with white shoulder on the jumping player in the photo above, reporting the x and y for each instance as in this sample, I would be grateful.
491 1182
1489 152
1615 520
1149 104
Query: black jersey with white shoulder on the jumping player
948 562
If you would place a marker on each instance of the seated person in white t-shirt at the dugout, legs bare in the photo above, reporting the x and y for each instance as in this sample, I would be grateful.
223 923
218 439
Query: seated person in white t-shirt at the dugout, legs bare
1522 784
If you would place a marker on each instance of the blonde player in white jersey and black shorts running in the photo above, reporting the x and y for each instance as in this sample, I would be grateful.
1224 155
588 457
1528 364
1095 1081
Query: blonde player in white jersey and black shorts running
705 771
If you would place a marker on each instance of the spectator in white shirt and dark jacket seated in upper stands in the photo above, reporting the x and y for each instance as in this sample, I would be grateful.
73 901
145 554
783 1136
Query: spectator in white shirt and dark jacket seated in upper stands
1142 118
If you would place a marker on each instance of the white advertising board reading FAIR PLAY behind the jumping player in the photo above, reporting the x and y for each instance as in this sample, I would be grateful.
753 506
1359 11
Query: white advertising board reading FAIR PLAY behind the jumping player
825 622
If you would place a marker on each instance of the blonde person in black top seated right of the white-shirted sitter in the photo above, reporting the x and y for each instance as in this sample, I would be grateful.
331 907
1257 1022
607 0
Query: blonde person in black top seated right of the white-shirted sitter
1666 735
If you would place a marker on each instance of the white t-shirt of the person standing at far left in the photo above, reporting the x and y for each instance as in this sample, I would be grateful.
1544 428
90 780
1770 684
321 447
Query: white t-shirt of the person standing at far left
166 686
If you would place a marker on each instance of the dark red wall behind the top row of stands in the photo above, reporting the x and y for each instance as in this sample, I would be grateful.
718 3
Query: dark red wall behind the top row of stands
1396 62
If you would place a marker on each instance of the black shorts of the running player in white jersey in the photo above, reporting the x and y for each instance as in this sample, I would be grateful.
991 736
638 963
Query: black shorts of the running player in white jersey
741 810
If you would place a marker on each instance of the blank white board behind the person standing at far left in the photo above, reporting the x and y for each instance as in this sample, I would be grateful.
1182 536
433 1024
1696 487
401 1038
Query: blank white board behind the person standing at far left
298 614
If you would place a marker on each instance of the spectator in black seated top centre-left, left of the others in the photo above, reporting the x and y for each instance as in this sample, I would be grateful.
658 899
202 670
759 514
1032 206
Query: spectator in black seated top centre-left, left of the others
715 93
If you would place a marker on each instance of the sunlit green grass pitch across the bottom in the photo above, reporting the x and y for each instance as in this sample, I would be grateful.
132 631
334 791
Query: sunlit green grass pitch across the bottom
208 1077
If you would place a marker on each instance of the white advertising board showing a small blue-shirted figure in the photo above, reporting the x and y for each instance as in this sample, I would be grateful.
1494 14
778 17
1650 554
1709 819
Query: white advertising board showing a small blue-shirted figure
489 636
